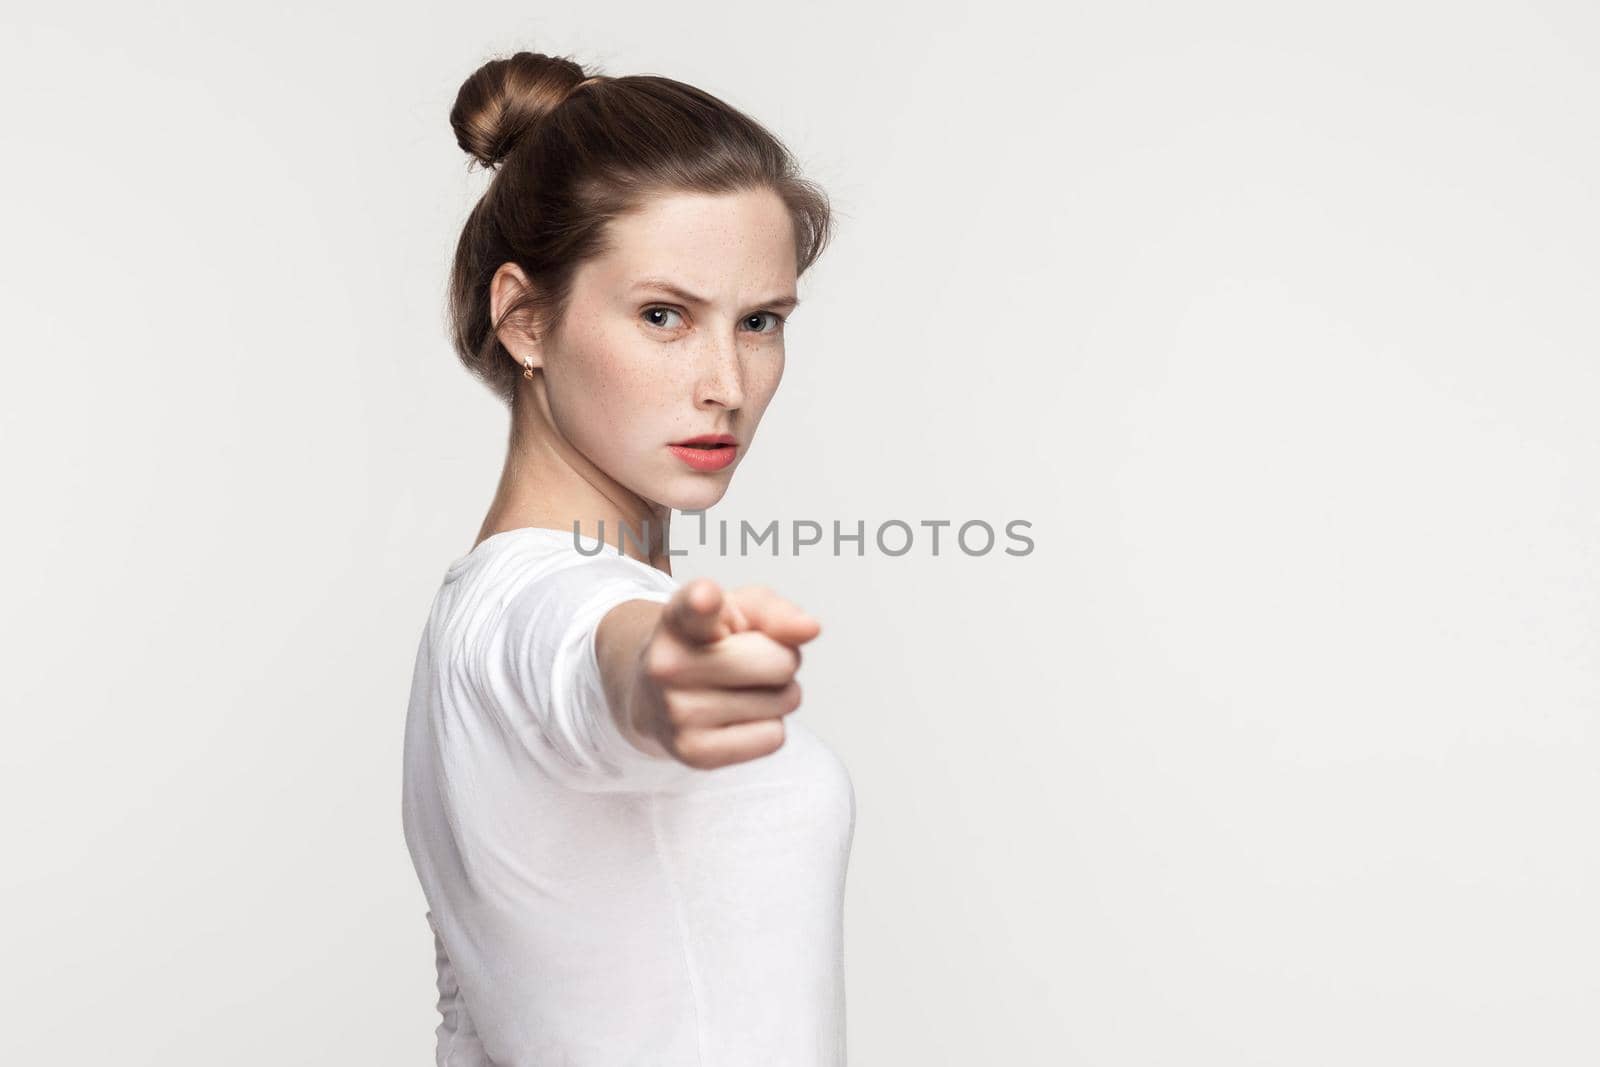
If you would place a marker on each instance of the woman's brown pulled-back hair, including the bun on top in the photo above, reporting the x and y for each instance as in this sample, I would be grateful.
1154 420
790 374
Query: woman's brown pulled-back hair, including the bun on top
574 153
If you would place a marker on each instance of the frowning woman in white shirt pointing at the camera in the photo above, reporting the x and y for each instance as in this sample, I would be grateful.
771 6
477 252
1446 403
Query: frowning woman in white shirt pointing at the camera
628 852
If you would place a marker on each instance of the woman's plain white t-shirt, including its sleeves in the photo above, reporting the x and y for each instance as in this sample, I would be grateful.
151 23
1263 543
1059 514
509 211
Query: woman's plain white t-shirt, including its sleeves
594 906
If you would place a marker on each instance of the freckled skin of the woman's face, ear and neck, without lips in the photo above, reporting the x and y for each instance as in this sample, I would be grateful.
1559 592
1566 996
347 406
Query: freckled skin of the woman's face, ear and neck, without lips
636 369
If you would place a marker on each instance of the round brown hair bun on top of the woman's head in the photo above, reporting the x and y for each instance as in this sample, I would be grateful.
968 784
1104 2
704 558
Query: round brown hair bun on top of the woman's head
505 98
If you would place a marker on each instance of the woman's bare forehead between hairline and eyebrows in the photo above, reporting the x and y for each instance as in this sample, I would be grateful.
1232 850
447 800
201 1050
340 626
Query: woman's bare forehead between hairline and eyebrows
714 244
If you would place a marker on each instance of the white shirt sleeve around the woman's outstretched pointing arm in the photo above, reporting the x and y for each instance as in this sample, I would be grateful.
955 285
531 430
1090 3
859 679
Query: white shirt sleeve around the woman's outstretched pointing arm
542 673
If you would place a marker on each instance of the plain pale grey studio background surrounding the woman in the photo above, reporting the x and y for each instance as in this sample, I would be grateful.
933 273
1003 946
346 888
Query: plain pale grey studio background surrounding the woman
1276 321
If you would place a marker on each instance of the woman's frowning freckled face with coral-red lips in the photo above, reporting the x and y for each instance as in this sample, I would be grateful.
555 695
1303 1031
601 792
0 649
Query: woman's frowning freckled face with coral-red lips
674 334
